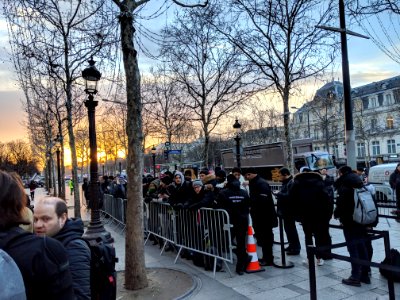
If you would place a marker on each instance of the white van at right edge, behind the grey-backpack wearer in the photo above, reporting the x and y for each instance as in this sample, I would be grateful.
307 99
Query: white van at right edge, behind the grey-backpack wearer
379 176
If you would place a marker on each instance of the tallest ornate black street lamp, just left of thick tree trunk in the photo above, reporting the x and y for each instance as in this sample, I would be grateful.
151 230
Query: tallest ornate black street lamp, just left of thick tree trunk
95 228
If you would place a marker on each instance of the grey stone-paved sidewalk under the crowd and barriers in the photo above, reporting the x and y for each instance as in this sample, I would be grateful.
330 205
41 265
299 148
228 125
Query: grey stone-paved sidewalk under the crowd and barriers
275 283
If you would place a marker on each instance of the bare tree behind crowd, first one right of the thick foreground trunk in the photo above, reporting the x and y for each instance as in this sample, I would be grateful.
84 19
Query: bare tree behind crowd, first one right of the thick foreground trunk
206 66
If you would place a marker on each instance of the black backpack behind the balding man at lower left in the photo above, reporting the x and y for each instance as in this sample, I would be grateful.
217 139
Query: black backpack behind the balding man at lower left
103 276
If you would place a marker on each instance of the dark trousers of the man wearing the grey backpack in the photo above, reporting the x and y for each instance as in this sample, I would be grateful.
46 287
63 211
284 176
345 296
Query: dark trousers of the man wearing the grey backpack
360 250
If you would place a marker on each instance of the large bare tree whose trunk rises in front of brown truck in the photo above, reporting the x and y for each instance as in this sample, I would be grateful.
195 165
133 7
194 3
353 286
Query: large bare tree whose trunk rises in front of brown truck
279 38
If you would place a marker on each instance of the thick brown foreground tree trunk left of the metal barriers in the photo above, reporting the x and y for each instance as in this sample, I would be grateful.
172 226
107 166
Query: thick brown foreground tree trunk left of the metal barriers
135 270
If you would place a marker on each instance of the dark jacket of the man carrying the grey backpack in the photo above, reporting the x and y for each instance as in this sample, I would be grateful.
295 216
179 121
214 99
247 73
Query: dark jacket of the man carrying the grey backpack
345 185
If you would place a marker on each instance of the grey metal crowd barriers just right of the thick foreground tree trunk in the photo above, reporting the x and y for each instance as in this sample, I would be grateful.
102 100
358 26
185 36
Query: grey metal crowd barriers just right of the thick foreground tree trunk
205 231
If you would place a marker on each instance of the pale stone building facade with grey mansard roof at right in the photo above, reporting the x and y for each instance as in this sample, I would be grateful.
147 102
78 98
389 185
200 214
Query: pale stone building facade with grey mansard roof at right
376 119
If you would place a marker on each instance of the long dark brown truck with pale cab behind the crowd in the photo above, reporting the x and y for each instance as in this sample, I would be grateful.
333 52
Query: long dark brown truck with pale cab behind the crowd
267 159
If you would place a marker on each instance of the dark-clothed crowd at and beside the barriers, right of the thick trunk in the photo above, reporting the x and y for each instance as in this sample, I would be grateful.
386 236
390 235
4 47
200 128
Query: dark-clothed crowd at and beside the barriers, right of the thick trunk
306 198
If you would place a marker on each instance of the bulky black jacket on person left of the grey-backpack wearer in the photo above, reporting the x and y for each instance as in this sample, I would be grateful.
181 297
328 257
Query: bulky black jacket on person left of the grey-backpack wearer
309 199
